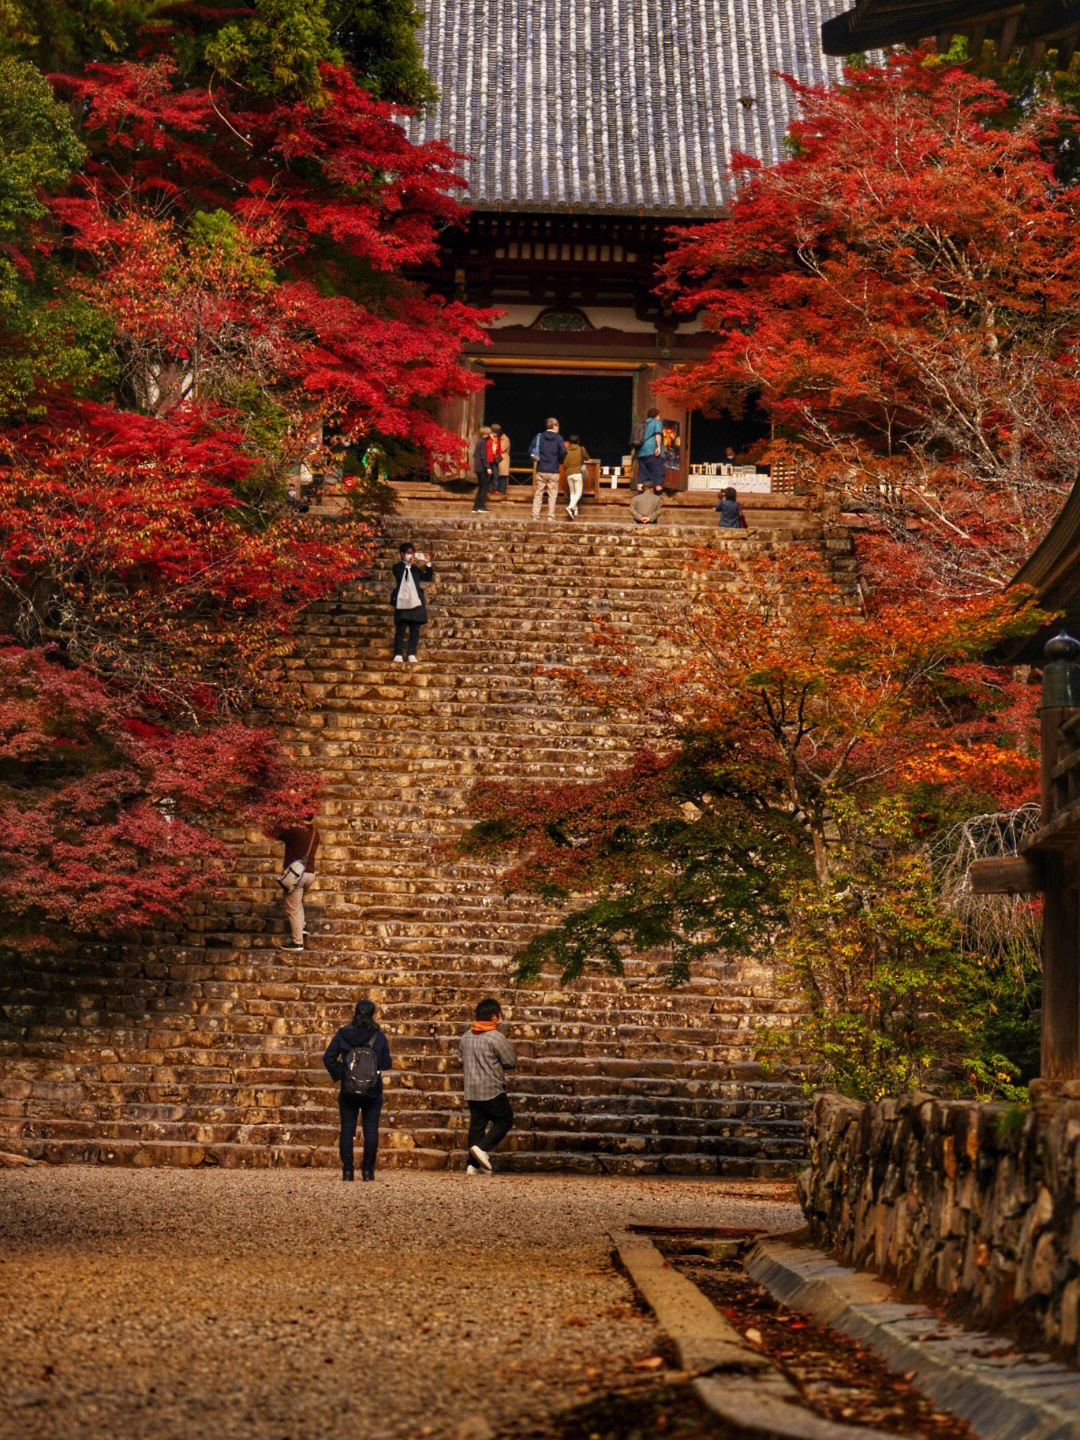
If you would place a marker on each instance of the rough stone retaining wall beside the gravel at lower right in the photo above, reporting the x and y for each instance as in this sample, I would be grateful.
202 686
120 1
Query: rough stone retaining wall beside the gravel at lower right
974 1203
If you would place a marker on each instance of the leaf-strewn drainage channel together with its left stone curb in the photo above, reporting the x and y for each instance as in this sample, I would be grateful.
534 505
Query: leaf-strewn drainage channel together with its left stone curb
741 1366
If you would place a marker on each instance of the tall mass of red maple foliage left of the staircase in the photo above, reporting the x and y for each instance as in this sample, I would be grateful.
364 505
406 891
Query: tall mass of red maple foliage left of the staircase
243 263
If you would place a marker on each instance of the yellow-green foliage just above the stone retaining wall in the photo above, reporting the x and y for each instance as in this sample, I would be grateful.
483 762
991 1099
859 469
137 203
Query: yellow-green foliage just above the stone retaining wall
894 1000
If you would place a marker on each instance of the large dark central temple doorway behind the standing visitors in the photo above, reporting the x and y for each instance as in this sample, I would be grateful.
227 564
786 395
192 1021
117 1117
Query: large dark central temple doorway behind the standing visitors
595 407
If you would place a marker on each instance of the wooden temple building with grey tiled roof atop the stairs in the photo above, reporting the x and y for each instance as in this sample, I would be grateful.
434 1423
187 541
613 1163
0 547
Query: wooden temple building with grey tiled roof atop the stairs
591 130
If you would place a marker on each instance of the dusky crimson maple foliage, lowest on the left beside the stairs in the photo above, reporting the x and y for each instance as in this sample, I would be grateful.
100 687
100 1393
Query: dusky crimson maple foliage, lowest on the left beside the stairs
107 820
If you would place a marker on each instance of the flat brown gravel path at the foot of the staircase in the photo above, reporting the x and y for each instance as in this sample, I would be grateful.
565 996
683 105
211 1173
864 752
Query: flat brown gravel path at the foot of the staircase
225 1305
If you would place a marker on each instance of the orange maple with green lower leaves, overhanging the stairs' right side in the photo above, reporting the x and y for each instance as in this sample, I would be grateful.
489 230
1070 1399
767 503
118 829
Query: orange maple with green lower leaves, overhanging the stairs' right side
807 751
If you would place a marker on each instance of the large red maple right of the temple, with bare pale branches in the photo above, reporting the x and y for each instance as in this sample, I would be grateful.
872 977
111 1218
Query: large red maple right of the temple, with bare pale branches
901 296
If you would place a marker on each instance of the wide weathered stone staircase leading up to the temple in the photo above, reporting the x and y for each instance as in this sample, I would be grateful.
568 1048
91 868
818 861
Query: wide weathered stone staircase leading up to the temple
205 1048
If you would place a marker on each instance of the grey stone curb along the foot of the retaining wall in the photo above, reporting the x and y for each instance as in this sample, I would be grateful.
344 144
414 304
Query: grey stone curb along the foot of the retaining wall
1003 1396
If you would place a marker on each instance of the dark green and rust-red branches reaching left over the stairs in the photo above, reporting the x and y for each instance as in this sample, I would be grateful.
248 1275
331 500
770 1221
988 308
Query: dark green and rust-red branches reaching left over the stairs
685 856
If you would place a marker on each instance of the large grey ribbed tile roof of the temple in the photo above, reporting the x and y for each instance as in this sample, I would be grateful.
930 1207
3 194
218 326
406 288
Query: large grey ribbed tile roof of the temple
616 104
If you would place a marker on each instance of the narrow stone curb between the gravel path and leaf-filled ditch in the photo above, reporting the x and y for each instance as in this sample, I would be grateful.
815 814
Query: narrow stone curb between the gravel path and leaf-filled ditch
729 1377
